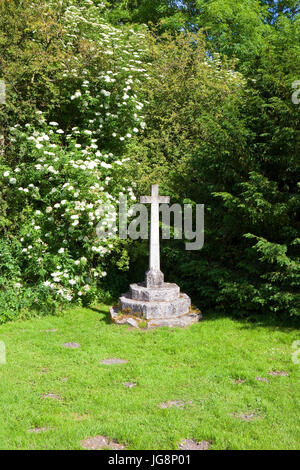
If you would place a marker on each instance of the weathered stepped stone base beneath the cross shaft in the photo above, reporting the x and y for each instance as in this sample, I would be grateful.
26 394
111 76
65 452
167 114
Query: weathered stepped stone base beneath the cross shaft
151 307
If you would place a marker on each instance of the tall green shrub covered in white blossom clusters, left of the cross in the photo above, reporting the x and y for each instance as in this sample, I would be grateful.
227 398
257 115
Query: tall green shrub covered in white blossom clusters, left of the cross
64 168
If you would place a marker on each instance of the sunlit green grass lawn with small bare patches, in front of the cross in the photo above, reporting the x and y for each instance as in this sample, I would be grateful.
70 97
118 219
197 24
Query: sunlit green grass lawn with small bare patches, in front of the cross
198 365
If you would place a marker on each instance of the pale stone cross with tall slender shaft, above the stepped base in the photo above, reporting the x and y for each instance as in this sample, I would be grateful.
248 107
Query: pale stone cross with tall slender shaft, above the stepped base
154 277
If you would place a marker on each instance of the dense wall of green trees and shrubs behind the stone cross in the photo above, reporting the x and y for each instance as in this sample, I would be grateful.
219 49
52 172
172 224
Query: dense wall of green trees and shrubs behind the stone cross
208 114
